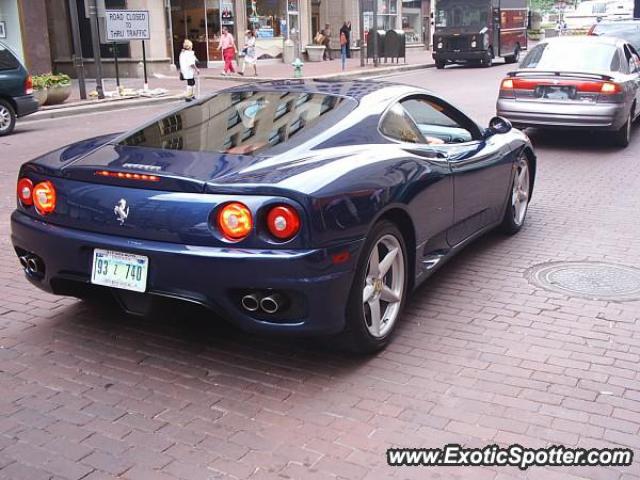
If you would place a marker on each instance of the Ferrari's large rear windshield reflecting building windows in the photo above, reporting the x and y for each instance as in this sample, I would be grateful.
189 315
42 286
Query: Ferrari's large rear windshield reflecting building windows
243 123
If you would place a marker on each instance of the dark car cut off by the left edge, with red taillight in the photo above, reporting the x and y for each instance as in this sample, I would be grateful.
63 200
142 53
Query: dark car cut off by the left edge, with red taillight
16 88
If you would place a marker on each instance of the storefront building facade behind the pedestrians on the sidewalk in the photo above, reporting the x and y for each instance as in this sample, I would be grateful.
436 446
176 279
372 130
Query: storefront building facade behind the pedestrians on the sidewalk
40 30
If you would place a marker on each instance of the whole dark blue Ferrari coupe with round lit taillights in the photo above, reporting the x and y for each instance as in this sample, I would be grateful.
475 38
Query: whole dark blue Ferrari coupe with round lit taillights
295 206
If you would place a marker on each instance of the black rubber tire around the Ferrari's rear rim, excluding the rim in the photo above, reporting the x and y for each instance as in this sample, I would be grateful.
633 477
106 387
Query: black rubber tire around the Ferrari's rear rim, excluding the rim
356 336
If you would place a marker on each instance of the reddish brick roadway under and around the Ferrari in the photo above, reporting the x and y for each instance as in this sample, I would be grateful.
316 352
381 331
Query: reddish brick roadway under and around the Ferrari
481 356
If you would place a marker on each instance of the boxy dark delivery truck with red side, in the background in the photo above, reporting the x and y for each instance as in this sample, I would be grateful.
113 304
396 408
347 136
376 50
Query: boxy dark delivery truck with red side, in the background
478 31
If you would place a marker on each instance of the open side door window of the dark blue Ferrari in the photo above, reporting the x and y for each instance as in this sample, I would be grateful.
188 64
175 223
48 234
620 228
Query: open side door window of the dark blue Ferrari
438 123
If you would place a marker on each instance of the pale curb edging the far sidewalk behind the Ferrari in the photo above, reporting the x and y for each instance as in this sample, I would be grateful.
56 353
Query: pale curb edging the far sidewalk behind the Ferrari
96 106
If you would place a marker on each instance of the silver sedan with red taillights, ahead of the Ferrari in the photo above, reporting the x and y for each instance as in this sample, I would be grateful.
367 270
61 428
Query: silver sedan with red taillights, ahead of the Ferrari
575 82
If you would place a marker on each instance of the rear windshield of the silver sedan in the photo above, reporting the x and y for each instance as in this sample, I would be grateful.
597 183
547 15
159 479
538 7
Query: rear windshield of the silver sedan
573 57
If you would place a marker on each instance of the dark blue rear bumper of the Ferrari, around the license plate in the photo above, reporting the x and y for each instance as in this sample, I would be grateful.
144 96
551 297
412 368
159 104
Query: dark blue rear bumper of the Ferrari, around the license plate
211 276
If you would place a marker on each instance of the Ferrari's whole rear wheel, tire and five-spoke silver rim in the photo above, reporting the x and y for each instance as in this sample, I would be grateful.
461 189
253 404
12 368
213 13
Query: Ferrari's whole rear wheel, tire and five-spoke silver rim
378 291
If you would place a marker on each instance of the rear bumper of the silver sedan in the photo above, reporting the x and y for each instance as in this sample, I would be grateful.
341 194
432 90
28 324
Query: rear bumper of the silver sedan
576 115
